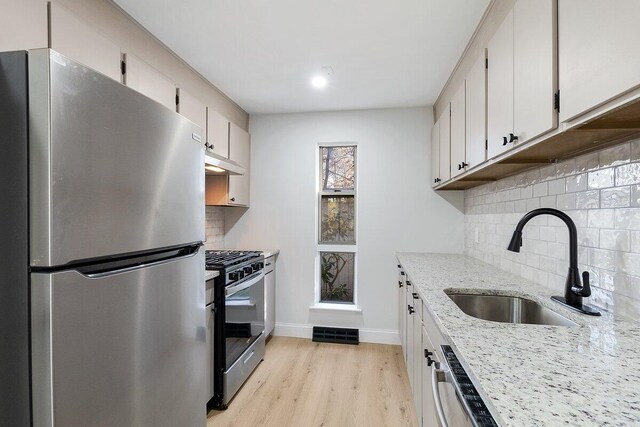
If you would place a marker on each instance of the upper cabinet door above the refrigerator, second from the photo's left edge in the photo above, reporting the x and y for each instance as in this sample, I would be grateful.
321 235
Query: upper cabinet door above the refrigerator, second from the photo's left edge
74 38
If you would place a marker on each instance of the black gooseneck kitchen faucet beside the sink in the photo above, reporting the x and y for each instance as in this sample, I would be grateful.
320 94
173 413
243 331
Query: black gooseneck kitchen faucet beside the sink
574 291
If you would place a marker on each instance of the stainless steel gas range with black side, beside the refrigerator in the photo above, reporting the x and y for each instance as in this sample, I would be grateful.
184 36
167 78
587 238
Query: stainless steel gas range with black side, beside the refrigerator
238 339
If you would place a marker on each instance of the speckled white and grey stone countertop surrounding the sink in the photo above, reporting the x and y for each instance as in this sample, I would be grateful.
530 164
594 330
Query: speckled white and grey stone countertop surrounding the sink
534 375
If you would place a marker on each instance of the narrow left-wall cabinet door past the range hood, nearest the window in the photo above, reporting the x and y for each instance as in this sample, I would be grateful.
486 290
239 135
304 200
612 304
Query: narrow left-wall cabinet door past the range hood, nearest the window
240 152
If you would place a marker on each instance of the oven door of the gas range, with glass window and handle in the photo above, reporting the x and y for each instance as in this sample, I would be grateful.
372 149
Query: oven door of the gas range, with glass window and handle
244 316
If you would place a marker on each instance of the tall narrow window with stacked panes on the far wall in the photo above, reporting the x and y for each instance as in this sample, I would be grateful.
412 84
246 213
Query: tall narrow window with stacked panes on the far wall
337 224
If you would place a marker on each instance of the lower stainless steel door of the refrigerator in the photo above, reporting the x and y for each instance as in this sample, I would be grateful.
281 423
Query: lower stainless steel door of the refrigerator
124 349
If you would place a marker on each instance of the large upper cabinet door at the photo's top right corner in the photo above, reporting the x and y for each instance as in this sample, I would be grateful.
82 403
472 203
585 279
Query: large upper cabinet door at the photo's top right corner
597 52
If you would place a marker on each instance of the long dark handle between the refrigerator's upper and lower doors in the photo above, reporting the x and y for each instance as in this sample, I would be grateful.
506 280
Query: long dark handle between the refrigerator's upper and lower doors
130 264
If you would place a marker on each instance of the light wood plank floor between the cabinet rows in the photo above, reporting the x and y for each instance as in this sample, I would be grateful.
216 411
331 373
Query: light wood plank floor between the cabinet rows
301 383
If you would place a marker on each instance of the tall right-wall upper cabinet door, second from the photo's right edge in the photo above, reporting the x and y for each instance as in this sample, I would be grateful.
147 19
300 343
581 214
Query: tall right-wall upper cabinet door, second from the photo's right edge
534 68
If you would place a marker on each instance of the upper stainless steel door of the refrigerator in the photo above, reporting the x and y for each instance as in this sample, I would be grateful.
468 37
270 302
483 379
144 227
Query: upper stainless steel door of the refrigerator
111 171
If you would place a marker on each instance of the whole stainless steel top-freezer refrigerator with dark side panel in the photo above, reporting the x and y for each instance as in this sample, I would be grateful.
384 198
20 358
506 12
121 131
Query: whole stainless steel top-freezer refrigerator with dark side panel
102 314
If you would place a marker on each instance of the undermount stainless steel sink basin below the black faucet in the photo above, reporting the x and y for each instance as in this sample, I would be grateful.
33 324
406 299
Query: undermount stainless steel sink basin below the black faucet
505 309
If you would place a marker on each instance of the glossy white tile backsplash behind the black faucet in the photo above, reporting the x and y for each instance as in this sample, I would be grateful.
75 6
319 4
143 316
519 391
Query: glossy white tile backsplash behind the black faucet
600 191
